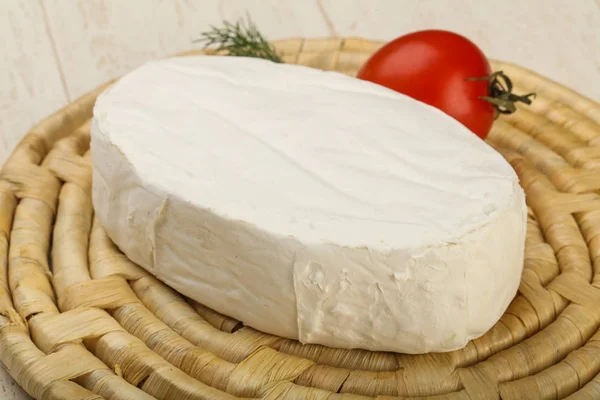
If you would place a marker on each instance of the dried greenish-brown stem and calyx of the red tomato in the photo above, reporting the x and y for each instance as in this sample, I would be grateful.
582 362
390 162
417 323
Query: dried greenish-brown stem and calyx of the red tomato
501 95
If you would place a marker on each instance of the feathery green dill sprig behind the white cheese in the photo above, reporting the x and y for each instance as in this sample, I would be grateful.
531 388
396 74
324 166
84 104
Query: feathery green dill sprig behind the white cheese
239 39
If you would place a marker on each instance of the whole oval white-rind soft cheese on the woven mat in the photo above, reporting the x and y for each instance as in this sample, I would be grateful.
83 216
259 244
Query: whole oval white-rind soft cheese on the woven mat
308 204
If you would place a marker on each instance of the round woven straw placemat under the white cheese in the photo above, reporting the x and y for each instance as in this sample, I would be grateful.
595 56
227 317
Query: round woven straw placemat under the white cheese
80 321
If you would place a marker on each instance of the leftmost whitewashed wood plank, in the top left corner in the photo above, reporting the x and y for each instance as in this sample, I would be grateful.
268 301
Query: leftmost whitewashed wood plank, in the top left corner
29 77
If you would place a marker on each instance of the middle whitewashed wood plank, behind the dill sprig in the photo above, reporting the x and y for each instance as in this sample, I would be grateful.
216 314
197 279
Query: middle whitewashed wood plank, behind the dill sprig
100 40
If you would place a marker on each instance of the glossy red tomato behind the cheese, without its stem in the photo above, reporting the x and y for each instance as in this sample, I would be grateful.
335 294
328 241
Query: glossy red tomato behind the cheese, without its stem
433 66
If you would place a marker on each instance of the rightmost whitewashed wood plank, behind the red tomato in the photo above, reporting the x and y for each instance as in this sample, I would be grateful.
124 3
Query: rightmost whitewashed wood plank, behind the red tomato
559 39
